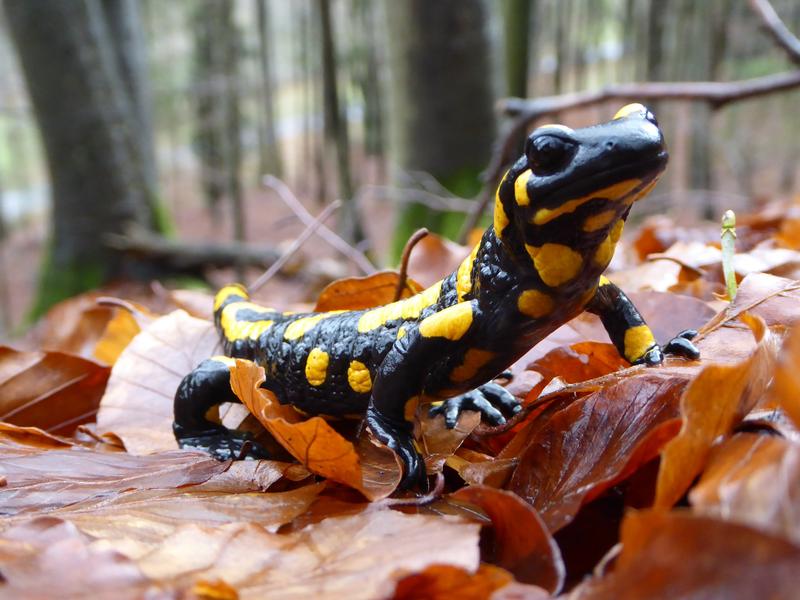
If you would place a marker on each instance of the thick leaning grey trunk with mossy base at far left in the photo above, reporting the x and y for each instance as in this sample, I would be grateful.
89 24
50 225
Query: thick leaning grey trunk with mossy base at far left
89 132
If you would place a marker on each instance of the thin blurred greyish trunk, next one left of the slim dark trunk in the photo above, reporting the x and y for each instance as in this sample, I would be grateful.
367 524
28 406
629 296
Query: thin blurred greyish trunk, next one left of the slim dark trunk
269 149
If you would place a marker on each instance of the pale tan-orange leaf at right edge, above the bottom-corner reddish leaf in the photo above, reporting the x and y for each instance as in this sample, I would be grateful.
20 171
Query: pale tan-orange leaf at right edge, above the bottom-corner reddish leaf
754 480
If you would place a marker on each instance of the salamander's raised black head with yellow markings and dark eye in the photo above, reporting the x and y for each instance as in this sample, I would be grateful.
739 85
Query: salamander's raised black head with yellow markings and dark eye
574 188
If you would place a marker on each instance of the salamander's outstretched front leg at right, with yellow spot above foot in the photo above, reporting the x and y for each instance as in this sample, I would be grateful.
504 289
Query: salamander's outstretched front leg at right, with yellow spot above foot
630 334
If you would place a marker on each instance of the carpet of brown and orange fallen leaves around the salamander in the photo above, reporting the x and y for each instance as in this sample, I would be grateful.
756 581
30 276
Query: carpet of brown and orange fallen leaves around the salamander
685 474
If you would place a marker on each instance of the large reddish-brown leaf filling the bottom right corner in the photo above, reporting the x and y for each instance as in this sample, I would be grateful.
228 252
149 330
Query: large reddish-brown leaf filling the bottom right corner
677 555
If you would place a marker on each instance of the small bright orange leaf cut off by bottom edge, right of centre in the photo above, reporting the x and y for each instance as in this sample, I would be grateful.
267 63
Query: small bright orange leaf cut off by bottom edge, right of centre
443 582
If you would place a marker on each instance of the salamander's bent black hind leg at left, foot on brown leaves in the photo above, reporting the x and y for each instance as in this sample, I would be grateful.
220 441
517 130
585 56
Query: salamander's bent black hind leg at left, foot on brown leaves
202 389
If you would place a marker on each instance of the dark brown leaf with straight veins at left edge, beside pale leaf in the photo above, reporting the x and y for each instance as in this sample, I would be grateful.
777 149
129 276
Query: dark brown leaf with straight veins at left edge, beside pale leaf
51 390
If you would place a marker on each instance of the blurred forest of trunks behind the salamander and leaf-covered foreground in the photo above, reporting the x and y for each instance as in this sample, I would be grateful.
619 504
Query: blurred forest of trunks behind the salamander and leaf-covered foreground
135 135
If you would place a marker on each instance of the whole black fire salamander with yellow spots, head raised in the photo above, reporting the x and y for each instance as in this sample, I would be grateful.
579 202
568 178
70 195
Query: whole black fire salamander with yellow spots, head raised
558 214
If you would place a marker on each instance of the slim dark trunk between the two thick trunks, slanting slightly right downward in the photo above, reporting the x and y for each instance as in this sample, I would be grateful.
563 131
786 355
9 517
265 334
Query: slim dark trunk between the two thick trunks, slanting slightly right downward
336 133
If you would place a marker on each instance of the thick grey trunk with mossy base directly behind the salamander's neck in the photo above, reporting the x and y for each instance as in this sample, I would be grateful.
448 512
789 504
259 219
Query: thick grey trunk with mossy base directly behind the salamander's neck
441 115
